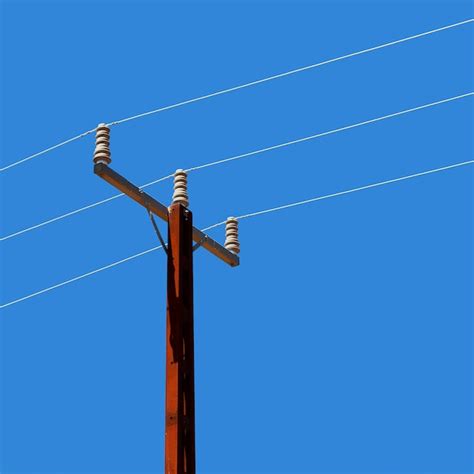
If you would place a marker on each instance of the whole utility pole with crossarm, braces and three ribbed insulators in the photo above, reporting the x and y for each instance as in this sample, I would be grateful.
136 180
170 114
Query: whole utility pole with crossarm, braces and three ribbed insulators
180 451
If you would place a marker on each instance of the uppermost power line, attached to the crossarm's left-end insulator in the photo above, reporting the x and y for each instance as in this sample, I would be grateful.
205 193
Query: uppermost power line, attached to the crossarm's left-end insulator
243 86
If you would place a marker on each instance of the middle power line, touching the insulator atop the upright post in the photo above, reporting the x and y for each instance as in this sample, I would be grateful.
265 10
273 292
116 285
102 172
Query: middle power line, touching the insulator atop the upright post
237 157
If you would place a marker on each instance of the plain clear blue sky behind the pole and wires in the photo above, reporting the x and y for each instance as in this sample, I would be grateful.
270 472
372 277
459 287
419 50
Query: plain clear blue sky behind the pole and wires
343 342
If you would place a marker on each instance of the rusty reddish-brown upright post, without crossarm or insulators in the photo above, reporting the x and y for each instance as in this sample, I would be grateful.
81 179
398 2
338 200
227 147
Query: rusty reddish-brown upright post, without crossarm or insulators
180 457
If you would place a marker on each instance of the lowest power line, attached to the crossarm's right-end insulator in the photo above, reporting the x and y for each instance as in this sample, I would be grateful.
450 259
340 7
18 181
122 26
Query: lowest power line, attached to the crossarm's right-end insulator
244 216
